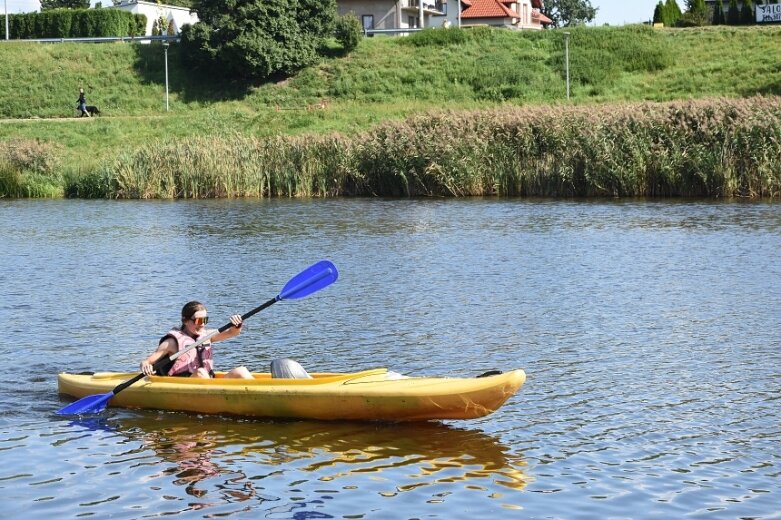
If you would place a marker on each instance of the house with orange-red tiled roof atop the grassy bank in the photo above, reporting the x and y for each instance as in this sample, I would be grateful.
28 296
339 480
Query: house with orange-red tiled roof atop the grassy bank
512 14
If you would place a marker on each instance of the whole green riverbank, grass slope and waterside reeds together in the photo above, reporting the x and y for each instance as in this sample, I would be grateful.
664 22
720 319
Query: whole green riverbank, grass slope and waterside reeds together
447 112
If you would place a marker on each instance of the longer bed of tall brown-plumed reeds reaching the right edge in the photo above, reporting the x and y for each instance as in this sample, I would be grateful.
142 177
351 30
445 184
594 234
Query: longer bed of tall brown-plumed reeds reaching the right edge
704 148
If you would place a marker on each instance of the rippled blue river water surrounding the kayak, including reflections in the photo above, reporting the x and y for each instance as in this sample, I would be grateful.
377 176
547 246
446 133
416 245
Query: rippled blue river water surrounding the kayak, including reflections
649 332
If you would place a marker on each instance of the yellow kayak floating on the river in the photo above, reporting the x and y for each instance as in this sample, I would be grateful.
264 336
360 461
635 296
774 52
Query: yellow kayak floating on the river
369 395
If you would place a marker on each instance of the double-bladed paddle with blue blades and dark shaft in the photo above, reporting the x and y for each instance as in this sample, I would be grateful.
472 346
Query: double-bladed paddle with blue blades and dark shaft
312 279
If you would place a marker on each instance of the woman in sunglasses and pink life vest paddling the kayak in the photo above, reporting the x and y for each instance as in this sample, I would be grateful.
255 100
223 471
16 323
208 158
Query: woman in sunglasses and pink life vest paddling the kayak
196 362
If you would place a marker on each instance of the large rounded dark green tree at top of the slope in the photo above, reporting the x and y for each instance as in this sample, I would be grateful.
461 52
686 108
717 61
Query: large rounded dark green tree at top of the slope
258 38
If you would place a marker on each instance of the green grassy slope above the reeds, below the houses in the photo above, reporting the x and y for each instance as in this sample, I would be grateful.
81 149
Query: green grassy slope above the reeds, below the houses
385 78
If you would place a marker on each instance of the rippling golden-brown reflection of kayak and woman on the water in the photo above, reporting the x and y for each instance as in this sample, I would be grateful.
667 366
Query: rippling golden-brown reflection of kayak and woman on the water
235 460
